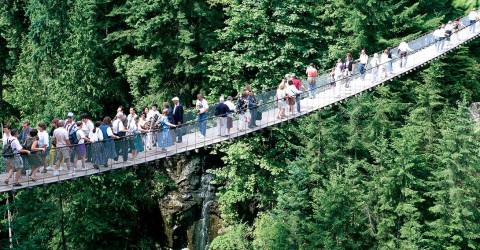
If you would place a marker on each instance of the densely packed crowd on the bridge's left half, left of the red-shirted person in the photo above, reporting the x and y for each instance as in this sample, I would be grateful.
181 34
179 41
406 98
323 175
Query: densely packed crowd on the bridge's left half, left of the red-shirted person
72 143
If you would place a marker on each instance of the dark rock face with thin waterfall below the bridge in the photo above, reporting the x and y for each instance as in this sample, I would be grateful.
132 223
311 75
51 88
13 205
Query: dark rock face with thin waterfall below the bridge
187 210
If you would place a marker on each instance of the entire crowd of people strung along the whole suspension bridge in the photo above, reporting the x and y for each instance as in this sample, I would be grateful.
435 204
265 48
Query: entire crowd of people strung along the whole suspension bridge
71 142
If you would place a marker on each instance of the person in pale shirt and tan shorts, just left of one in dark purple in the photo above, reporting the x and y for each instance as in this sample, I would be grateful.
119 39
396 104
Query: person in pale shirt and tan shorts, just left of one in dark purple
60 135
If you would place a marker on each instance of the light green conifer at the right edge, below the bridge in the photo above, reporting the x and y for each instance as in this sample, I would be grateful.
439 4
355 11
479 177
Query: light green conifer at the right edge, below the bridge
454 185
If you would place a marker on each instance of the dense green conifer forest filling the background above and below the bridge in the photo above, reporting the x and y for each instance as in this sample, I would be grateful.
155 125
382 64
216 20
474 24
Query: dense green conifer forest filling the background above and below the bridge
397 167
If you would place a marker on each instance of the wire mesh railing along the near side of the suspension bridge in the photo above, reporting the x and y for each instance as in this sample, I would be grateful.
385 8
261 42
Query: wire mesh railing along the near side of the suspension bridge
58 164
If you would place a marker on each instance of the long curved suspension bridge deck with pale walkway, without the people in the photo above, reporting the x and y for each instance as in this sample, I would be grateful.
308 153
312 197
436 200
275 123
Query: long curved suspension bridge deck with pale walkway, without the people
328 92
